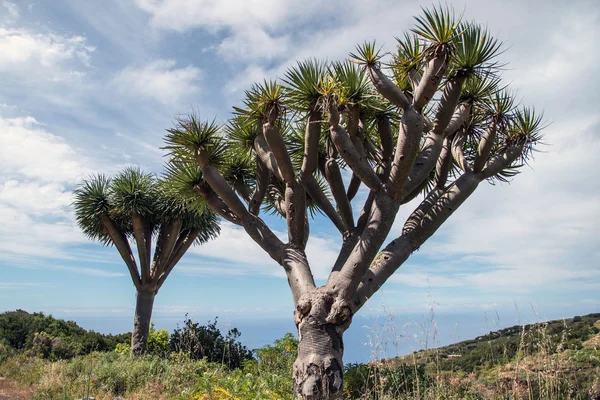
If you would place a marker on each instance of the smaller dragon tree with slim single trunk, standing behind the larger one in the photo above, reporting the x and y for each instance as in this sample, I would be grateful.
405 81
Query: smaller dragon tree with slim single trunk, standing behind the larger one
137 207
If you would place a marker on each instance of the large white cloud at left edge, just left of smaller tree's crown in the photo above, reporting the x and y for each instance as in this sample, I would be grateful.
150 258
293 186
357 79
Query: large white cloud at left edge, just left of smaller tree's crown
35 191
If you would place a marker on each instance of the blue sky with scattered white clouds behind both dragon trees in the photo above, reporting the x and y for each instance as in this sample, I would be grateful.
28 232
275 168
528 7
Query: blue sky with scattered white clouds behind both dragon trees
90 86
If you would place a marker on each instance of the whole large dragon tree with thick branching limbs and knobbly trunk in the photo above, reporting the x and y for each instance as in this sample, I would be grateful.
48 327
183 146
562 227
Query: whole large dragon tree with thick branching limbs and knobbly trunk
432 123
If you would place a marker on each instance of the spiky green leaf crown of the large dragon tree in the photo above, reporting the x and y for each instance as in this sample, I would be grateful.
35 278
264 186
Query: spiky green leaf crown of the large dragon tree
469 51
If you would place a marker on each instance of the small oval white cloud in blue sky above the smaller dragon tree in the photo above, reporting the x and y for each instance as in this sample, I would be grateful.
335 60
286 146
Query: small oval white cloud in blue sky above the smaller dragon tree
159 80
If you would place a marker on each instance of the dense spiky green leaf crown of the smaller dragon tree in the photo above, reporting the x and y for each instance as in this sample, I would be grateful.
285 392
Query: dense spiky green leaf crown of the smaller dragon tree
134 191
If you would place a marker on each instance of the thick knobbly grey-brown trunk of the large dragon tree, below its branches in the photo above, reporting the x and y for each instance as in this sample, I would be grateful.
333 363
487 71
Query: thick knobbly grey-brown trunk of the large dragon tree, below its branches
318 370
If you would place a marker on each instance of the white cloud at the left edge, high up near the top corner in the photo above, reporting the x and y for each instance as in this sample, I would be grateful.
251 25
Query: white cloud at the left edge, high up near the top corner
42 55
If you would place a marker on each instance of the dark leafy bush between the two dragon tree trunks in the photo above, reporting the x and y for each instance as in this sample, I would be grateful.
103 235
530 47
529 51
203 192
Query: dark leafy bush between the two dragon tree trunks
207 341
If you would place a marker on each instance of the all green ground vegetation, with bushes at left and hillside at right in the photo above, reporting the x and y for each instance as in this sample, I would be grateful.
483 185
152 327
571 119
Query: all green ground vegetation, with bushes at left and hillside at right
551 360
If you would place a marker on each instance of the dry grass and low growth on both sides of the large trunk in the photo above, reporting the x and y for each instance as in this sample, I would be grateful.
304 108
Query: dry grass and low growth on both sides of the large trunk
553 360
